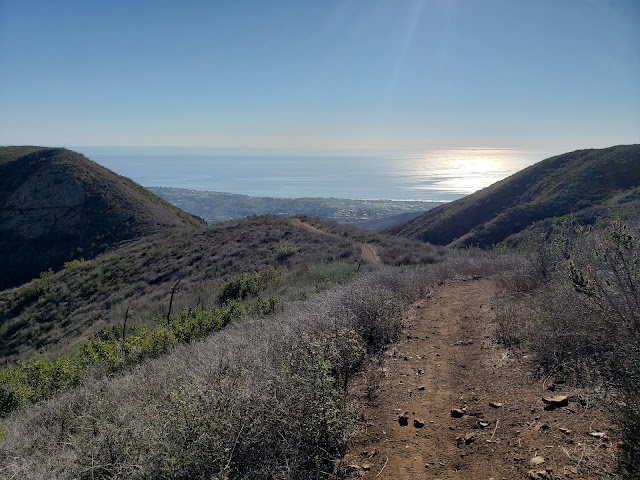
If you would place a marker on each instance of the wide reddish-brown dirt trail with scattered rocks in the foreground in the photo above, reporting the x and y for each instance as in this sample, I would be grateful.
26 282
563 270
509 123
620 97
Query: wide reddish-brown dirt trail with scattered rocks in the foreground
448 361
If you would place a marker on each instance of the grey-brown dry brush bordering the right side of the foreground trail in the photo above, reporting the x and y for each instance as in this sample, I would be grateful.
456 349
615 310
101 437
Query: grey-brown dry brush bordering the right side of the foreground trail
582 318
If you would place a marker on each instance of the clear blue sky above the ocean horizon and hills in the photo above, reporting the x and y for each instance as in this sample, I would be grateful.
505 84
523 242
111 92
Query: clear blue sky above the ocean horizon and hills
382 74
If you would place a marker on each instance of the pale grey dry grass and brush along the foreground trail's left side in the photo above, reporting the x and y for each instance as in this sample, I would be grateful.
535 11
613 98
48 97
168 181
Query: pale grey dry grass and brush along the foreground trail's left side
262 399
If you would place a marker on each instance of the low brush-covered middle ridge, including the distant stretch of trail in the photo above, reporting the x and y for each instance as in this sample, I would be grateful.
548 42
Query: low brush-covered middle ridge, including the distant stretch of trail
52 314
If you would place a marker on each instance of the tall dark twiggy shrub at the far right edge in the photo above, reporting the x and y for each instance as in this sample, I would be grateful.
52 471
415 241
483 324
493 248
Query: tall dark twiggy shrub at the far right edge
607 272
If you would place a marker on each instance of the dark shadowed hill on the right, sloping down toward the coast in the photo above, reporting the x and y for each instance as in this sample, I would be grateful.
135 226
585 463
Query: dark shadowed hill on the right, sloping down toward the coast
568 183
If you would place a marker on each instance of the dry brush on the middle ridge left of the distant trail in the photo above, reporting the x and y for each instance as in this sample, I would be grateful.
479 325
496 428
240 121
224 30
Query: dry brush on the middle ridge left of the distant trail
97 293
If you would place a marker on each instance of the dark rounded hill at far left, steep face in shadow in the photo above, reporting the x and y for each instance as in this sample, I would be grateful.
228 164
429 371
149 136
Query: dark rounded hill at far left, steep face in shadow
56 206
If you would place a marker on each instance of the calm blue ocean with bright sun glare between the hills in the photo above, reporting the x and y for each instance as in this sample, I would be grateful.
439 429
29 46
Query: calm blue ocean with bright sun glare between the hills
435 175
